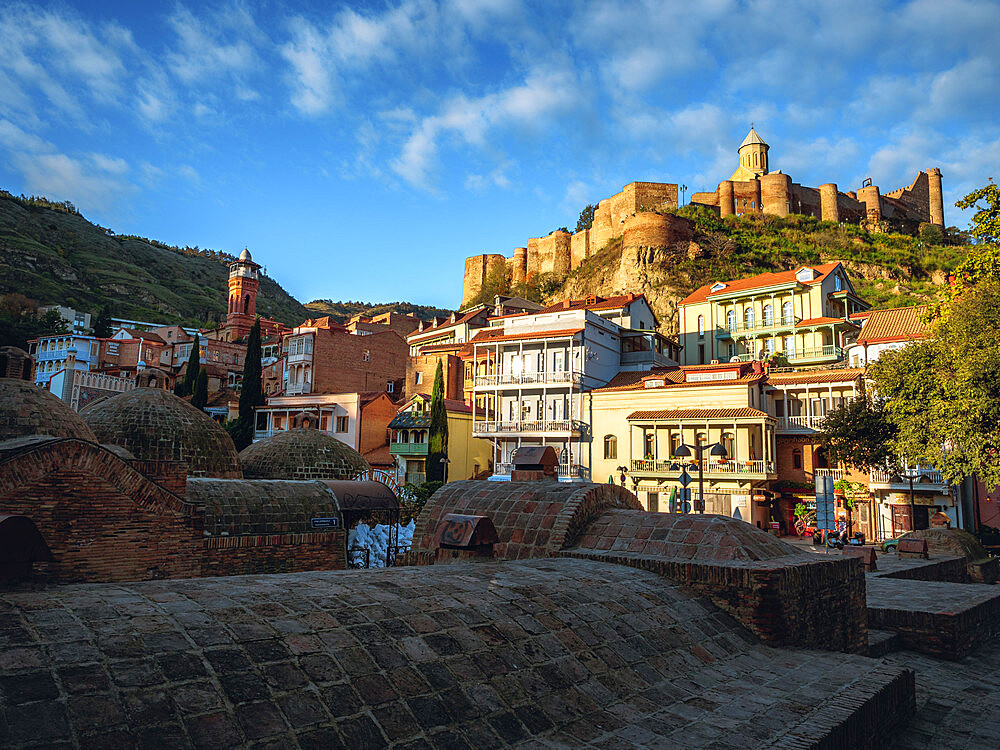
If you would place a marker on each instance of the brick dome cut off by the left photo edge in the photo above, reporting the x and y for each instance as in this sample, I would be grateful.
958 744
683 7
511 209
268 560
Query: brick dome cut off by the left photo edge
26 409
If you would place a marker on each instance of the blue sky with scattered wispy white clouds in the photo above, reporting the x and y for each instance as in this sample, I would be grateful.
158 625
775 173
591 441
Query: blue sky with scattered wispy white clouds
362 149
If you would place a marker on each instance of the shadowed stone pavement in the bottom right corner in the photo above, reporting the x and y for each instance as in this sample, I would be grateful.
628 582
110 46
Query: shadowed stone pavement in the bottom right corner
958 703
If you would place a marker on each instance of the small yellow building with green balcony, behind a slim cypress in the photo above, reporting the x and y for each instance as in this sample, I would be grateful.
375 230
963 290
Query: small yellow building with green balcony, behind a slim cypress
467 456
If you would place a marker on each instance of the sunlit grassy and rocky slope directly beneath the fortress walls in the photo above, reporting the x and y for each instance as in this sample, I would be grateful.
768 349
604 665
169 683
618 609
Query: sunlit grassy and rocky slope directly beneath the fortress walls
887 269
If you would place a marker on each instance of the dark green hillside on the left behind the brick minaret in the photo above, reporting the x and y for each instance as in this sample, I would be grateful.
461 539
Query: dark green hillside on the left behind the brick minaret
52 254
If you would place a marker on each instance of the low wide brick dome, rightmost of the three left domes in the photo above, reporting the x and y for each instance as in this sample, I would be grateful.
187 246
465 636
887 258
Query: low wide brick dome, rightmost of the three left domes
301 453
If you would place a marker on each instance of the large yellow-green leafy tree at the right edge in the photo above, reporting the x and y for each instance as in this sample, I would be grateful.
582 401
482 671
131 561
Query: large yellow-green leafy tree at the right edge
943 393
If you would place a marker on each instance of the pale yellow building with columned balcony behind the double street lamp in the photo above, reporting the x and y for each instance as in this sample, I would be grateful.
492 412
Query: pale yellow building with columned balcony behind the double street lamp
641 418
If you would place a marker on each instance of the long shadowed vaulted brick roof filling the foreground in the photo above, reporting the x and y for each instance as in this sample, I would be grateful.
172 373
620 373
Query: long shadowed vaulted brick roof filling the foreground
541 653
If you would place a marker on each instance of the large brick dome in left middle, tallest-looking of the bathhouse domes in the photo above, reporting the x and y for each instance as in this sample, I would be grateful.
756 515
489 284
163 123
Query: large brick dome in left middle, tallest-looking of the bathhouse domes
155 425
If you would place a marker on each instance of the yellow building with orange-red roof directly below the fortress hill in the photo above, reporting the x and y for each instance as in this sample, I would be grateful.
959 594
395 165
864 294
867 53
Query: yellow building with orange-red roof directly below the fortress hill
804 314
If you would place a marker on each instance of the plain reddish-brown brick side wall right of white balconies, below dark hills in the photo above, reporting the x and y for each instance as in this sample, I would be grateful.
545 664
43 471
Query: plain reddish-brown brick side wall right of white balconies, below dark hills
339 364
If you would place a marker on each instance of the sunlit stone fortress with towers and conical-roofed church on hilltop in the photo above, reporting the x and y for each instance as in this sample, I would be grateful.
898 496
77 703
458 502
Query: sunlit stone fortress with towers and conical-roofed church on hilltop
753 188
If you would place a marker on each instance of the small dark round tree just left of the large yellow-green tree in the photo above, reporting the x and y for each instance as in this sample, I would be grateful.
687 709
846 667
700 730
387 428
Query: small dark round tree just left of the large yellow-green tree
859 433
